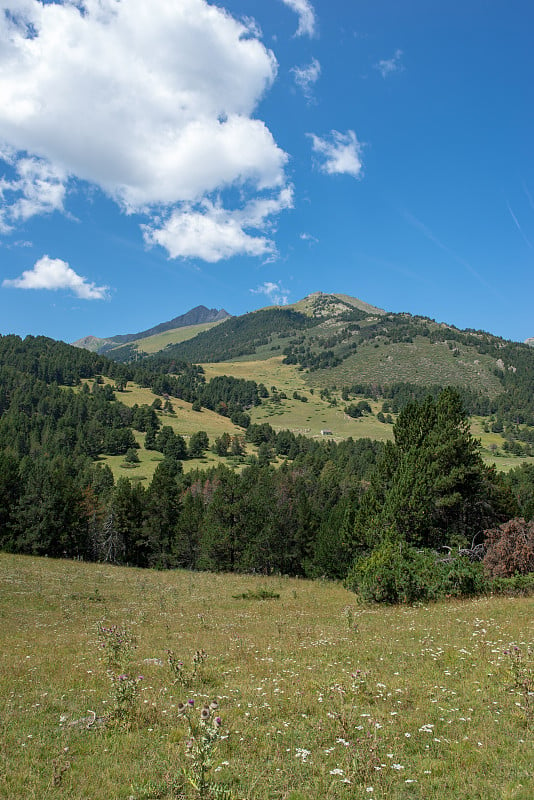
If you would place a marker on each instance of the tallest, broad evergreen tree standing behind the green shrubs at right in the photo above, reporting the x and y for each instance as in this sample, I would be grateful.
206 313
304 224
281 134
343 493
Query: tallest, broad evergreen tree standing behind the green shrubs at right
429 487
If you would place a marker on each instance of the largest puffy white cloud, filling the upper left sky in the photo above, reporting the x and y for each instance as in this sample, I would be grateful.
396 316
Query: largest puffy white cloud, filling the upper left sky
151 102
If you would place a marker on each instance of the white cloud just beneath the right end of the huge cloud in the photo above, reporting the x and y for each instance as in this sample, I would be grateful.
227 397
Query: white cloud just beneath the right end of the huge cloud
211 232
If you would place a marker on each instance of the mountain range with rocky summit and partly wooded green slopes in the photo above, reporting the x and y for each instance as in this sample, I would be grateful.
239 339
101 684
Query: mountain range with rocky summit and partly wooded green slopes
336 342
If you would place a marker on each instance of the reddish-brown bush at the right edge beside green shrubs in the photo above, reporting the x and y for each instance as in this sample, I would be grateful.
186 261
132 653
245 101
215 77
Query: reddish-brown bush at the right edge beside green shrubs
510 549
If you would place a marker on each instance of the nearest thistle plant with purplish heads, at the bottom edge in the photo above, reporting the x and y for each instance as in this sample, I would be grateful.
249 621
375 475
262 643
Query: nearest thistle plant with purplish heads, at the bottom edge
204 731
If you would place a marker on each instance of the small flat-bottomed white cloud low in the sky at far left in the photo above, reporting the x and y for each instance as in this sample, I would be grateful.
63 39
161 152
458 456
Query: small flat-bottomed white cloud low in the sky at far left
52 274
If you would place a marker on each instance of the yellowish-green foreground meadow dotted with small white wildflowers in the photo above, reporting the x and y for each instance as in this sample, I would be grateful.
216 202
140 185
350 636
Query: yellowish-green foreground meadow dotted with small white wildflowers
317 695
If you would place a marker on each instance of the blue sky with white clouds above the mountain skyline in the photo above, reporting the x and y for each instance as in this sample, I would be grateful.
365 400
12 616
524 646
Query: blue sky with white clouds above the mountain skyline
158 156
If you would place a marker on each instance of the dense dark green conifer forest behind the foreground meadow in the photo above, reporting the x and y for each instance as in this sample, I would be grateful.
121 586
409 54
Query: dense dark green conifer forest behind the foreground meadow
326 507
